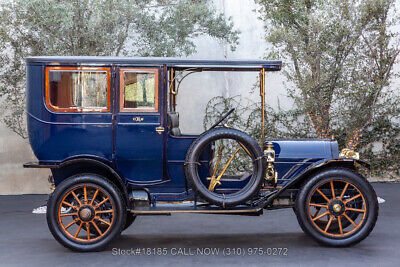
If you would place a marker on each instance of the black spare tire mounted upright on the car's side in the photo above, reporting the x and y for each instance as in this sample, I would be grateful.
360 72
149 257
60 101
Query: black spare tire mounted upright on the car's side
228 200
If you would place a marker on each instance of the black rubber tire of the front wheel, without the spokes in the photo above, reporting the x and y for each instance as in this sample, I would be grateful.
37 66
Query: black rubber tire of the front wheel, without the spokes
335 238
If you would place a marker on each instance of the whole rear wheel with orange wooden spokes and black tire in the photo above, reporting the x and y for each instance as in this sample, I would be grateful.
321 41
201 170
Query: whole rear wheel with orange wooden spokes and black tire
86 212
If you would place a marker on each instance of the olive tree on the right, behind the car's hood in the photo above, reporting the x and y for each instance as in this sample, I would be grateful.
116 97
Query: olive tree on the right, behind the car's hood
340 57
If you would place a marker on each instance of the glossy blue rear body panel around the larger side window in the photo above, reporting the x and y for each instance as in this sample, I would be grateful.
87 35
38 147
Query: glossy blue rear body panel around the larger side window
58 136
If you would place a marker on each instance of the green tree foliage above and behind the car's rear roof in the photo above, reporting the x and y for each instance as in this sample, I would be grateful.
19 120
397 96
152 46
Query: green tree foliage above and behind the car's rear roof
97 28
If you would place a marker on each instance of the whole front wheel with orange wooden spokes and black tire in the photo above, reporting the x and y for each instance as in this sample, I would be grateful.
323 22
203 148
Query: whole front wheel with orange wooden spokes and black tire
337 207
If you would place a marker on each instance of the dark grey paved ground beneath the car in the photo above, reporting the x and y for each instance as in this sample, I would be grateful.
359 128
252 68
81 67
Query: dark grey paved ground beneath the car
25 239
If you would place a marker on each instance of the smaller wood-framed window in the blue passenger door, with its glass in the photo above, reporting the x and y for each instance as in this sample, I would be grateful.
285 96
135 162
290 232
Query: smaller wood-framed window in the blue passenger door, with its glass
139 90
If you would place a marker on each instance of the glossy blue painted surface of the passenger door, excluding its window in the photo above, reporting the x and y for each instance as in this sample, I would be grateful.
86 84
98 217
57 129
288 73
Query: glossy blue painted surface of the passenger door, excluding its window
139 152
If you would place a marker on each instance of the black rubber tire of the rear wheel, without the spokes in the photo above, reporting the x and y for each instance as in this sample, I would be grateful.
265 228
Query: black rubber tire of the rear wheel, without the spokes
75 182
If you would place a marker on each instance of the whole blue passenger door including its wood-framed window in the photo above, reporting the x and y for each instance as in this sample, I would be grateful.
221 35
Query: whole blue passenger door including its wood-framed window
139 131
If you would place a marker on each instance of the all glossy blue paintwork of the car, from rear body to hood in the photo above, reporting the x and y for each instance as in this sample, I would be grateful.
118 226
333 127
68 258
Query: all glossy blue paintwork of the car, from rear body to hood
140 156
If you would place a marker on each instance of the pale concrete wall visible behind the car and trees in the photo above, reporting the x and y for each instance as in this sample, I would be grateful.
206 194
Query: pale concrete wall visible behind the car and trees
195 92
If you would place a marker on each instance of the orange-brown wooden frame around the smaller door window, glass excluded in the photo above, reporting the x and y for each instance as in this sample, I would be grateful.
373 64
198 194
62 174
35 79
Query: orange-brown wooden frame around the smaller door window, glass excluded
122 90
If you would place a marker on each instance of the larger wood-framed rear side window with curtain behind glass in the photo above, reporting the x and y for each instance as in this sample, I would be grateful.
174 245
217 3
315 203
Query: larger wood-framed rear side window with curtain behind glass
77 89
